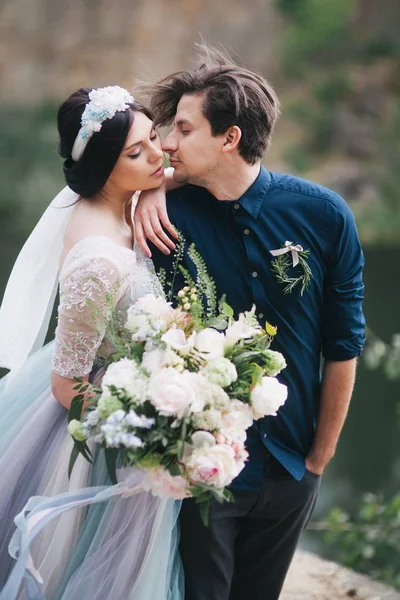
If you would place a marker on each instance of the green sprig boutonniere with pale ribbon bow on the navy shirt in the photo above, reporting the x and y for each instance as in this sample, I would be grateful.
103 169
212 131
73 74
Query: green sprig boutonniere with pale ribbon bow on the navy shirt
291 255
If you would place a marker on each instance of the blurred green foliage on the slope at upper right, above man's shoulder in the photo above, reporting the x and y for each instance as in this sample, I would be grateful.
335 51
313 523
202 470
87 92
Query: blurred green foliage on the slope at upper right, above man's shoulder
327 58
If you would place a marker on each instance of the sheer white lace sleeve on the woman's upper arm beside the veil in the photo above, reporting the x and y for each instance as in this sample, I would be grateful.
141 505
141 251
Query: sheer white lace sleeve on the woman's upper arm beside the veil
89 291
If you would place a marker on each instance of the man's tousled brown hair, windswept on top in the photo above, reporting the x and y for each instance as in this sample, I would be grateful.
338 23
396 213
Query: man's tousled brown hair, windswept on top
233 95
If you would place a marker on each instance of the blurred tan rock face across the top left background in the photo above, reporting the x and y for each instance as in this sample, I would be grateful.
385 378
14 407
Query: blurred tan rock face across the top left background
48 49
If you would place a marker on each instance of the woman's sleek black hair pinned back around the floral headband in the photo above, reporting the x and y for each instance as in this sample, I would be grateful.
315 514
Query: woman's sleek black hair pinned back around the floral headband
88 175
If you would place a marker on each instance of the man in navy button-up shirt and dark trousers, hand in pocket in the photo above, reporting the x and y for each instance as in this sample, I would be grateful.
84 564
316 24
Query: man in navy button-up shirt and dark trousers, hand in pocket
236 211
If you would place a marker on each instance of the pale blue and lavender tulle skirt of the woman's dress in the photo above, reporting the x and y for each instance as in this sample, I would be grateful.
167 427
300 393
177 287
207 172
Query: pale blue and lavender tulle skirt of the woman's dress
122 549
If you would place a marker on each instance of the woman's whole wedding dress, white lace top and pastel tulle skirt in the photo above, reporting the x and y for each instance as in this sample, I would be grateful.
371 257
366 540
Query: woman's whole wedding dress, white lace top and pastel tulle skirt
109 551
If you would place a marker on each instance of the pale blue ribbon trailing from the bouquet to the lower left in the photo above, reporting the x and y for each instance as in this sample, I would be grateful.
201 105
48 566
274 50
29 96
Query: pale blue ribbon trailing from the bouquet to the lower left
38 511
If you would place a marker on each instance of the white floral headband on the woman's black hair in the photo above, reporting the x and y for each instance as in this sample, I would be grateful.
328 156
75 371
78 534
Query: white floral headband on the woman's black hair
103 104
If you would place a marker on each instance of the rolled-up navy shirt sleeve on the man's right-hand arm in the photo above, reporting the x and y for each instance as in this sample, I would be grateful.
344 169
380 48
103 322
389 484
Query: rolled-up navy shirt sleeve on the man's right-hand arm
343 331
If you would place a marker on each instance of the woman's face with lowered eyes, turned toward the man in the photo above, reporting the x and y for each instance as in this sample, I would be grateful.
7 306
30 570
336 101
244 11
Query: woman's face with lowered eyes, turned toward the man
140 164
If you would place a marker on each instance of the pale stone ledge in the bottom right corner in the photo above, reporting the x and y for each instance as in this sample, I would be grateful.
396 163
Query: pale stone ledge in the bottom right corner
312 578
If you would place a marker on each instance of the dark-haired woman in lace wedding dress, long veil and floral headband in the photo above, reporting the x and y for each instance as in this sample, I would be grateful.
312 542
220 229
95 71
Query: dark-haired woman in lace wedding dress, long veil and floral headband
125 549
